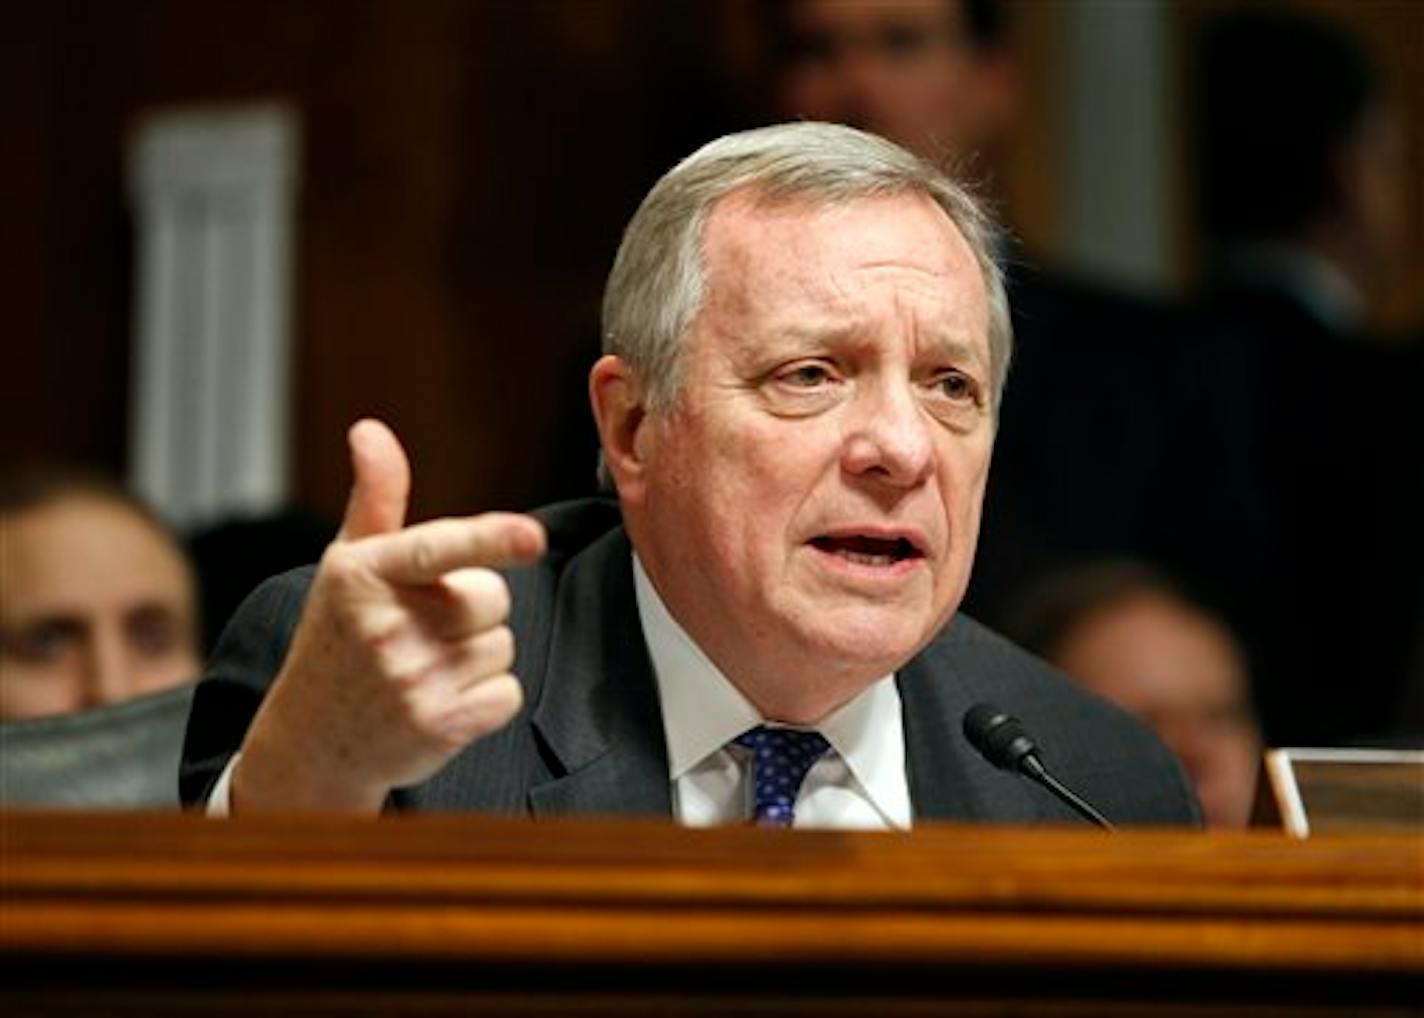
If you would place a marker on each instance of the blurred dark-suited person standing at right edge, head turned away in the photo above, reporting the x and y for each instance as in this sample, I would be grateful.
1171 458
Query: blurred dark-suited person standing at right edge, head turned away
1302 193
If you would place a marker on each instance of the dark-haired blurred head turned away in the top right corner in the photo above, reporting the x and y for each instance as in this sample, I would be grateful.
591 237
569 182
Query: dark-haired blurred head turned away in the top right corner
1301 172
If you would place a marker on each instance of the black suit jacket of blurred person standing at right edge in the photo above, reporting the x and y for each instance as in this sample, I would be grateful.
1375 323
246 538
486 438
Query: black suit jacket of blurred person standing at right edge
1331 432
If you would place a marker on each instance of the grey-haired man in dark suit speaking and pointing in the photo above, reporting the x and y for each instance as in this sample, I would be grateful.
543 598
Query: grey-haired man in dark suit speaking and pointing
807 337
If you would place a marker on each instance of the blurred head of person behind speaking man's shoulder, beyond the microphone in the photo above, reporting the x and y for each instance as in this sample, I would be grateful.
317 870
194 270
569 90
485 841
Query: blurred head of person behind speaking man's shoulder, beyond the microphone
1126 631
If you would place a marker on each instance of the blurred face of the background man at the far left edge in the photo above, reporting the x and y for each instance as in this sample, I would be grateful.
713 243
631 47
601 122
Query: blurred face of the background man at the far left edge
98 609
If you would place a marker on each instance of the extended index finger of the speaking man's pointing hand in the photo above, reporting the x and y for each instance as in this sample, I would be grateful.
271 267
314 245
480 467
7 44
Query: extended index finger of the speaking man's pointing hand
426 552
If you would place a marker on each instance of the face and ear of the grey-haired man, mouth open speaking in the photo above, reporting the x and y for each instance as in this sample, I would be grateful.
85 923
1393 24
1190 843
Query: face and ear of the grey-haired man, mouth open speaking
812 502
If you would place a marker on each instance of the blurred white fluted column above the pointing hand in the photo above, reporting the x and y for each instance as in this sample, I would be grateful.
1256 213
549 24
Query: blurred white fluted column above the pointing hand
214 199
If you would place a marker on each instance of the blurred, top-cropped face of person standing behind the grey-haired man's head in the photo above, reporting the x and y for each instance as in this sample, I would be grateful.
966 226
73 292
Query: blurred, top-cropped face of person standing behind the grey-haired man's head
901 69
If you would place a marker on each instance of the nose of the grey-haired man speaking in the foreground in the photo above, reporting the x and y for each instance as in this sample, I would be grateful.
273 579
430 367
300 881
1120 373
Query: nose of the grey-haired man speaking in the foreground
889 439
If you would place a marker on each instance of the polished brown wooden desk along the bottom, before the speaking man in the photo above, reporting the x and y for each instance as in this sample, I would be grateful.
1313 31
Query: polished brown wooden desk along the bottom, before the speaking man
147 915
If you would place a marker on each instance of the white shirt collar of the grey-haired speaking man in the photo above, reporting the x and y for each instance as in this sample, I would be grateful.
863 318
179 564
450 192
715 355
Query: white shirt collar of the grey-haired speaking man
703 711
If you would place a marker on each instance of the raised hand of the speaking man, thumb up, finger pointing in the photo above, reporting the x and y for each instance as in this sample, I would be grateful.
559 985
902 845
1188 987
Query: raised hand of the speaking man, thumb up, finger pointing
402 656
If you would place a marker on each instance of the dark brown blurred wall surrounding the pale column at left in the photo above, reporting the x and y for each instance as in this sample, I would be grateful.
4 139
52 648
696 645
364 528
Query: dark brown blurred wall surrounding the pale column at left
468 172
